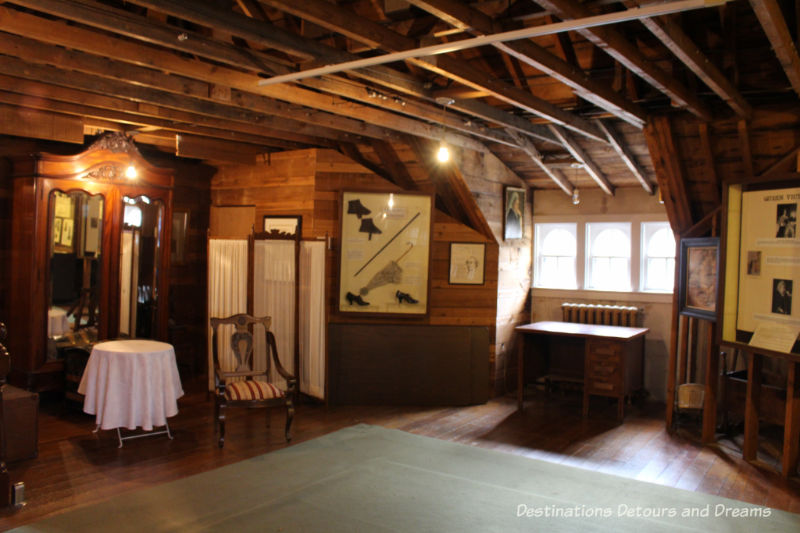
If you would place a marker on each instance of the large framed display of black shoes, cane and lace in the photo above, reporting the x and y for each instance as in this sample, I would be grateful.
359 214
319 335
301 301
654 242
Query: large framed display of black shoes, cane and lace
384 253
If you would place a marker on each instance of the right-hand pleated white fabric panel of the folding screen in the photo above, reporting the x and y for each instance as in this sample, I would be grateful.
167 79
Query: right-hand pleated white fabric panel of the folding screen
312 318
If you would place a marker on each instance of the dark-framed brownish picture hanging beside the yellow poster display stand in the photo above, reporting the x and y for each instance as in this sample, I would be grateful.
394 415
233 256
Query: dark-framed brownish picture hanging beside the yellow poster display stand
699 277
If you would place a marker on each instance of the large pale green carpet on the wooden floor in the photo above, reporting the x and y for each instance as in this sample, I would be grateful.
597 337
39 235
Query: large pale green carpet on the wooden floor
370 479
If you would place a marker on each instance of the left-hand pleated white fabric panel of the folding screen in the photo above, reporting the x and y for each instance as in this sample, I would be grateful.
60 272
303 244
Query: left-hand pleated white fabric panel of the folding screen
227 293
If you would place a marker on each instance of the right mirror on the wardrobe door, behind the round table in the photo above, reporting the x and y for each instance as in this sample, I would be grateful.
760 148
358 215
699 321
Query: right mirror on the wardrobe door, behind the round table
140 250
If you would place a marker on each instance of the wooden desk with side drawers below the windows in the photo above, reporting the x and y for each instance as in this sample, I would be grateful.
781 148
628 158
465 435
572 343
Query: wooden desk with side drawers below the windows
613 358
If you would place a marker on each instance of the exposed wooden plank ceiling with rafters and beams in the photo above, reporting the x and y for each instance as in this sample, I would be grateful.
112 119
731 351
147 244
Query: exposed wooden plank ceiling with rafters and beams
562 109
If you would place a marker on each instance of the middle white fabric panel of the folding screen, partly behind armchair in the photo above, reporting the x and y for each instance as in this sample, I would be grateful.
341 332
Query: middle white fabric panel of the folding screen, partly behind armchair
273 296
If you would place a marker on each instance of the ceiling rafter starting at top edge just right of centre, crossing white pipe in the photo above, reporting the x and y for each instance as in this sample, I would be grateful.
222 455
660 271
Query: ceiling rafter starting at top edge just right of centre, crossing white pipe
464 16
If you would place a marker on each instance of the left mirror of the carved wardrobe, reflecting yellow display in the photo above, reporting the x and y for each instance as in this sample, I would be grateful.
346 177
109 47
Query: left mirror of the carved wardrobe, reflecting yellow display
76 238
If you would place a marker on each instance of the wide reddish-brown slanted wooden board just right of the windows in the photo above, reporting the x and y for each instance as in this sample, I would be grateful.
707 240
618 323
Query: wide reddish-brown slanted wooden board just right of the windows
669 172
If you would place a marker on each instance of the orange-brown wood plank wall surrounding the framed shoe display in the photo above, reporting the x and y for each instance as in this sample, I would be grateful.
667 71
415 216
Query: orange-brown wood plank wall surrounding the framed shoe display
309 181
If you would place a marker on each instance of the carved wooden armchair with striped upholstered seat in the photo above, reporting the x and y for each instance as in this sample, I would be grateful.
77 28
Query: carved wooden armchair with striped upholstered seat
239 384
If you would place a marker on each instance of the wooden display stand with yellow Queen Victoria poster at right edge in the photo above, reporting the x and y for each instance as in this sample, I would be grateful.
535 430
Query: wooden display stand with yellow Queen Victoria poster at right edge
754 208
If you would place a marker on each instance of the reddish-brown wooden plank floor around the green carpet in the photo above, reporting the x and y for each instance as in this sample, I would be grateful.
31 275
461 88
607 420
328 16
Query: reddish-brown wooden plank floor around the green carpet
76 467
